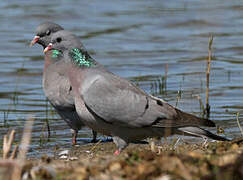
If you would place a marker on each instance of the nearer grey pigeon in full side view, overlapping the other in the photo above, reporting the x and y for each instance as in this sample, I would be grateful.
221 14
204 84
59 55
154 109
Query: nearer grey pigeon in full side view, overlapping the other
114 106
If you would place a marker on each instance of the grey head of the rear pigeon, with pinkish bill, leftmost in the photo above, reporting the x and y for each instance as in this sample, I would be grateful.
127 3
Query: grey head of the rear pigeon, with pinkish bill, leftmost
44 33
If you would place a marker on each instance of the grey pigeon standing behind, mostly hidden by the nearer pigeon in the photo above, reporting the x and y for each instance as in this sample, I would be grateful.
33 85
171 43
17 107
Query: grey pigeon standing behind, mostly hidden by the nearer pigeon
57 87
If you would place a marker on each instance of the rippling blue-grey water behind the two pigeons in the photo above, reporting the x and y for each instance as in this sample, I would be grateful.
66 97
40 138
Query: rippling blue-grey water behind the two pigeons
137 40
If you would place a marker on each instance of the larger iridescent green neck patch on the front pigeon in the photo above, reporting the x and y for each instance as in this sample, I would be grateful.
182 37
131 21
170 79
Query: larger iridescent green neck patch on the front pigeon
80 58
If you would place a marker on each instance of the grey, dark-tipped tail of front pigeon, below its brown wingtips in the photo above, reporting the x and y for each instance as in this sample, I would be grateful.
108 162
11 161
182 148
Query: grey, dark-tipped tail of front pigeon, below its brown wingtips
196 131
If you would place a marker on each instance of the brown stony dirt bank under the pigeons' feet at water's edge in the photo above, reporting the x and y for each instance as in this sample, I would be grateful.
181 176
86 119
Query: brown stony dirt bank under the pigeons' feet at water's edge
214 160
